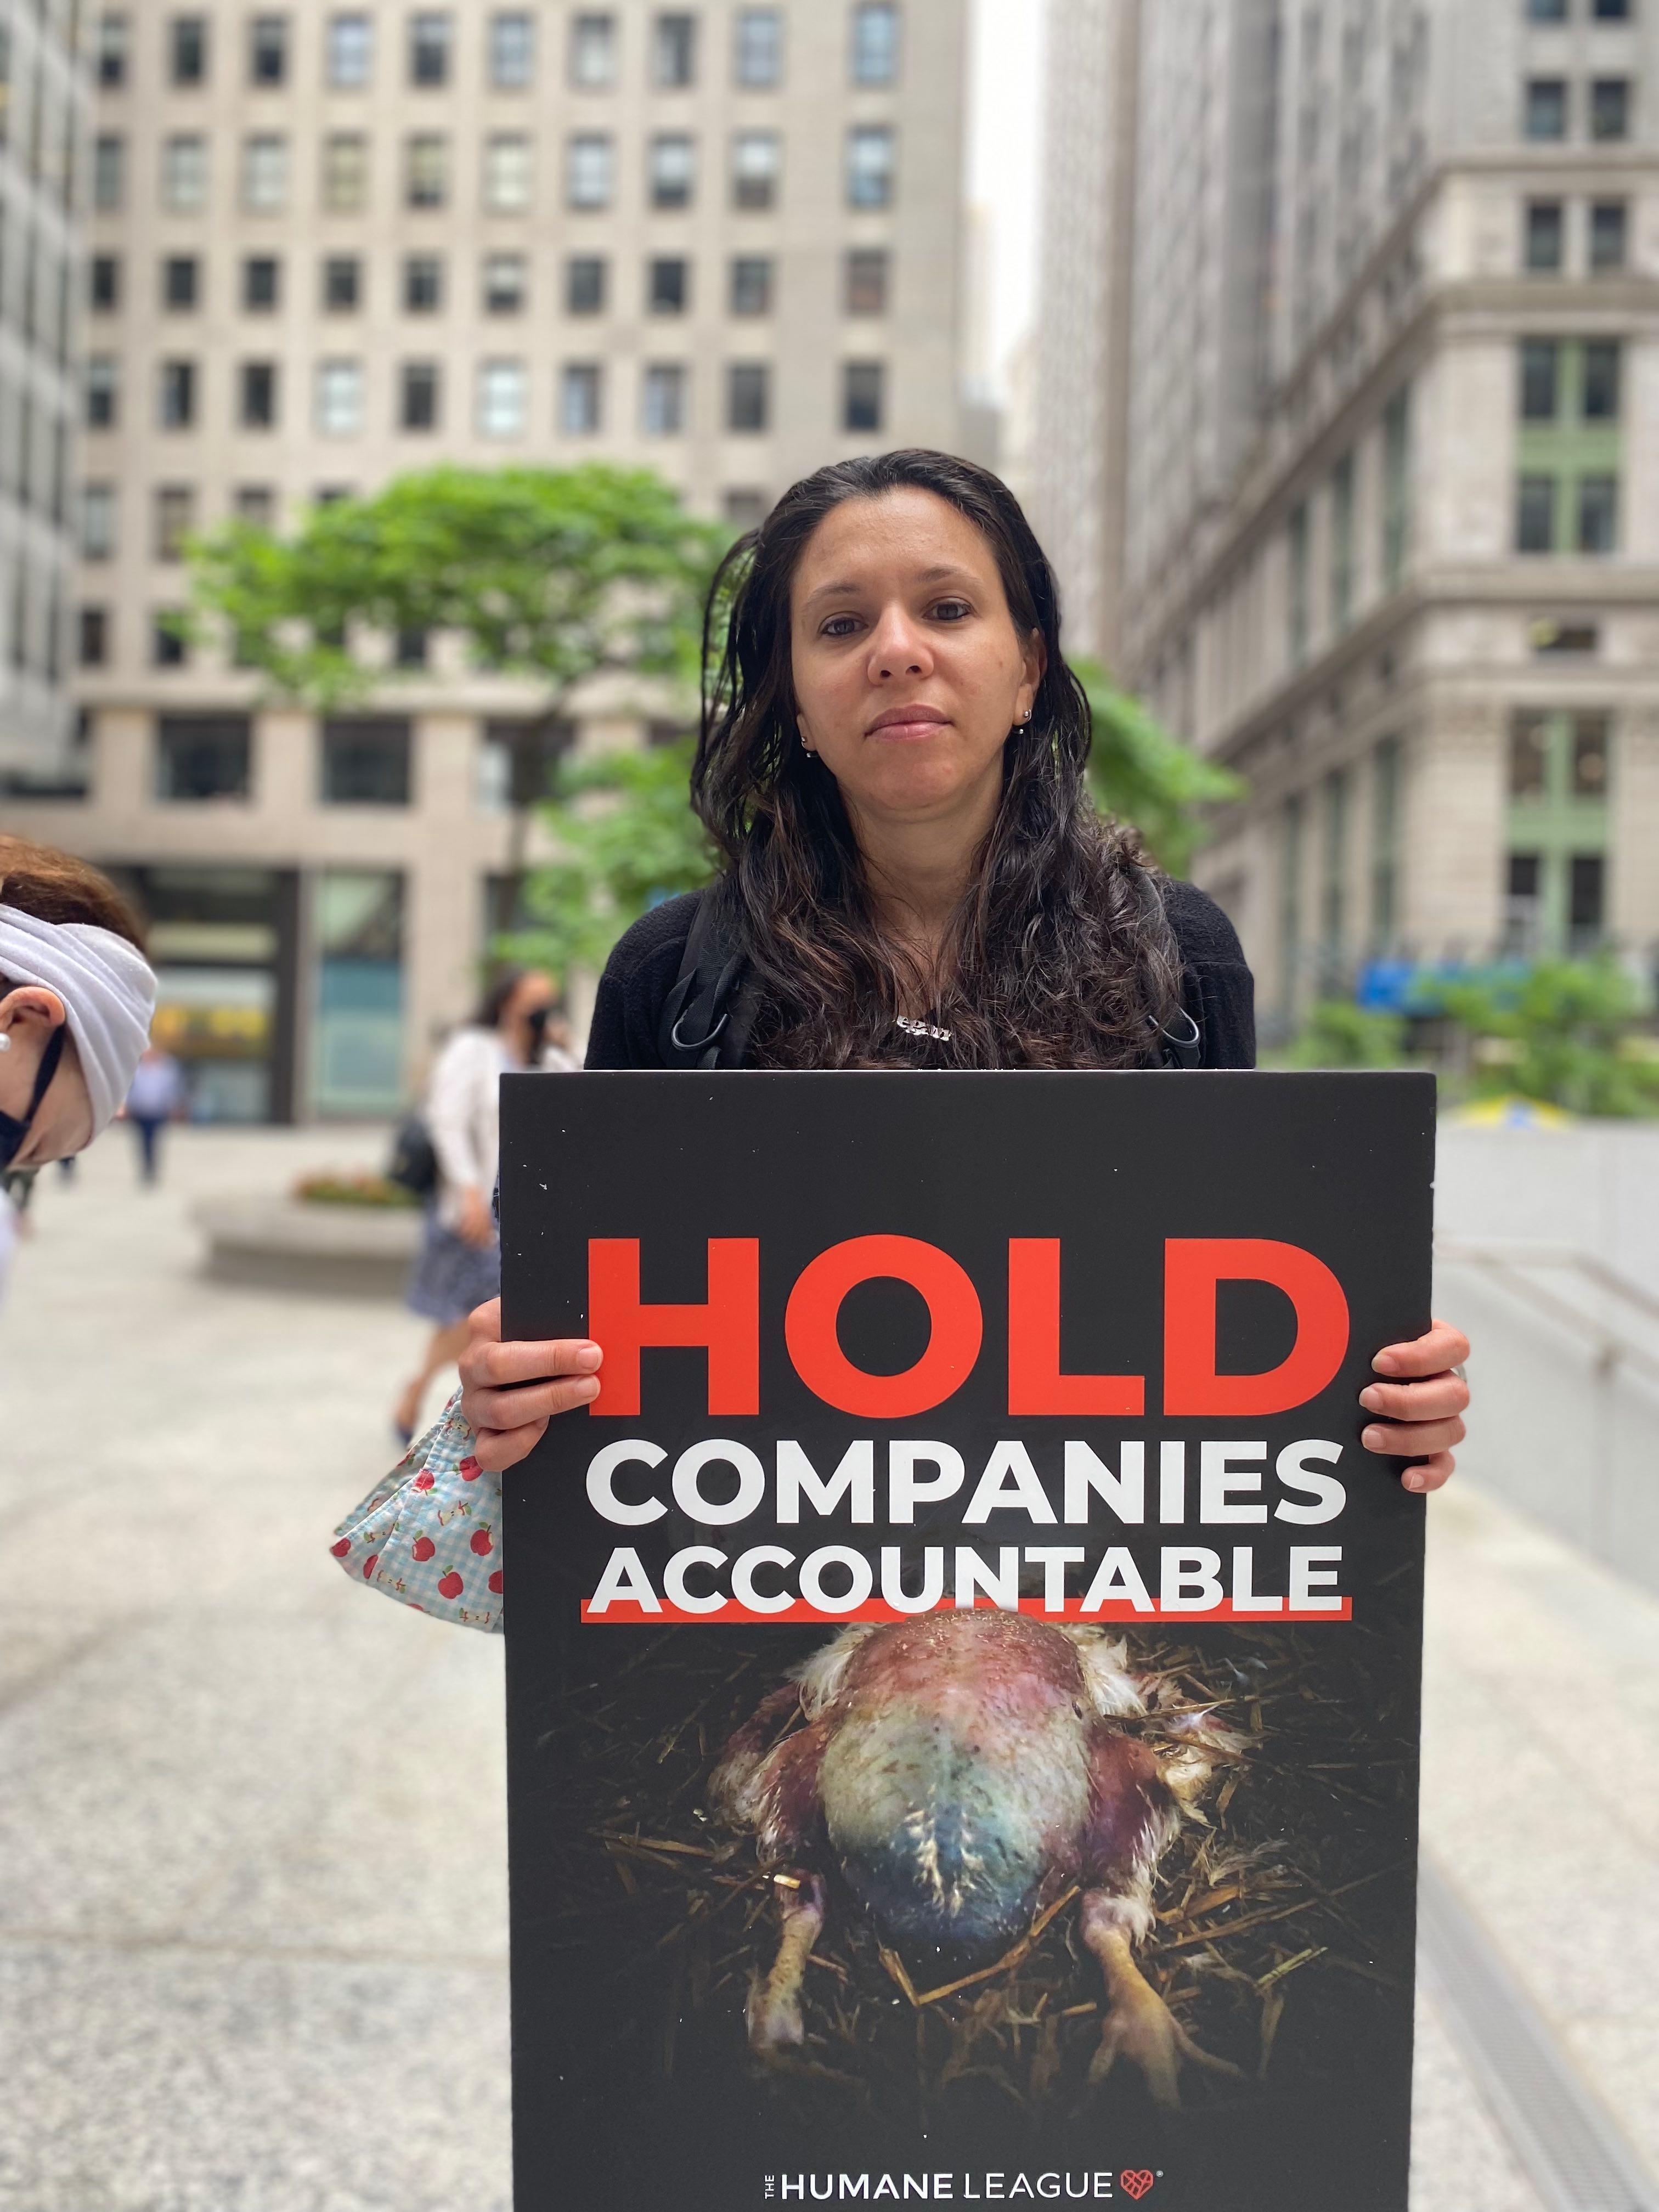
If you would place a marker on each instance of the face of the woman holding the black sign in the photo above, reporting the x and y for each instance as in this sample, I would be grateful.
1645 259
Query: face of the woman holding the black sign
908 667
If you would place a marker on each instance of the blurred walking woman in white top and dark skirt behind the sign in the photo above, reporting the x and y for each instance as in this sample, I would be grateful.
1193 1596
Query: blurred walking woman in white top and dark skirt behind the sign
461 1258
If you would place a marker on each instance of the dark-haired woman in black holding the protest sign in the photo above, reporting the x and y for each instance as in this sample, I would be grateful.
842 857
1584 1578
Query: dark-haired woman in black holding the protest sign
912 875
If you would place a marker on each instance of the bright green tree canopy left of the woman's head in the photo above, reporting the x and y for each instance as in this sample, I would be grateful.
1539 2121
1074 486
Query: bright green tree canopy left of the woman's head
550 574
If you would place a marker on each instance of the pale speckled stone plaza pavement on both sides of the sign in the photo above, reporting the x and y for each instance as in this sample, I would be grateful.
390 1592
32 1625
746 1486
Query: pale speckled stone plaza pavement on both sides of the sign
253 1923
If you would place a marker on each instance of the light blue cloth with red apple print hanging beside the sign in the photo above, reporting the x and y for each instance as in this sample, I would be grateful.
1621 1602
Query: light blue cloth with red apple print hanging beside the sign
430 1534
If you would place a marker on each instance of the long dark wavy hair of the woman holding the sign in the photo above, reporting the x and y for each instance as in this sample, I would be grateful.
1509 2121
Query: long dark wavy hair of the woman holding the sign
1058 957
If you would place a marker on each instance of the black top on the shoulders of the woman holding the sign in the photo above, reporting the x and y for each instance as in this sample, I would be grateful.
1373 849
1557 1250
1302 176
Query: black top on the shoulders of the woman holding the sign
1215 983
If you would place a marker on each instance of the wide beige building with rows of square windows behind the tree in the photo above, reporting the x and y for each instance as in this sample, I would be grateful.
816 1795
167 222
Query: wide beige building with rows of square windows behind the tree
337 240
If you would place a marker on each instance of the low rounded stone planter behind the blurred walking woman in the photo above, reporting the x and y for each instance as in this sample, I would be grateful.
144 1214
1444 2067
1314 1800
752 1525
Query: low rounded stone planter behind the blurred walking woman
284 1244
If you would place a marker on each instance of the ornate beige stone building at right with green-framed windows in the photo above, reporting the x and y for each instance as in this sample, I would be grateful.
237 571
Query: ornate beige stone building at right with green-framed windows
1390 514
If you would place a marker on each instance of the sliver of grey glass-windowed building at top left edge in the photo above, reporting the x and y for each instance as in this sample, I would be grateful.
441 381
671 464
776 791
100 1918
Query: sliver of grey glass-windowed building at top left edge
45 112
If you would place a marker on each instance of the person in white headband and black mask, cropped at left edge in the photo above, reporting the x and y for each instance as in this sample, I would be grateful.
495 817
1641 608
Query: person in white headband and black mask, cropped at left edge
76 1005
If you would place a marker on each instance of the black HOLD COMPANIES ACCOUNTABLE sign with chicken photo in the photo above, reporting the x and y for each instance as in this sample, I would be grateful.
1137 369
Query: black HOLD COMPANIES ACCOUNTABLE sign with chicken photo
963 1682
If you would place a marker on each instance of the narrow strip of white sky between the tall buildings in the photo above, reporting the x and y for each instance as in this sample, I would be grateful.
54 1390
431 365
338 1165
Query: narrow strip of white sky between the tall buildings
1005 158
